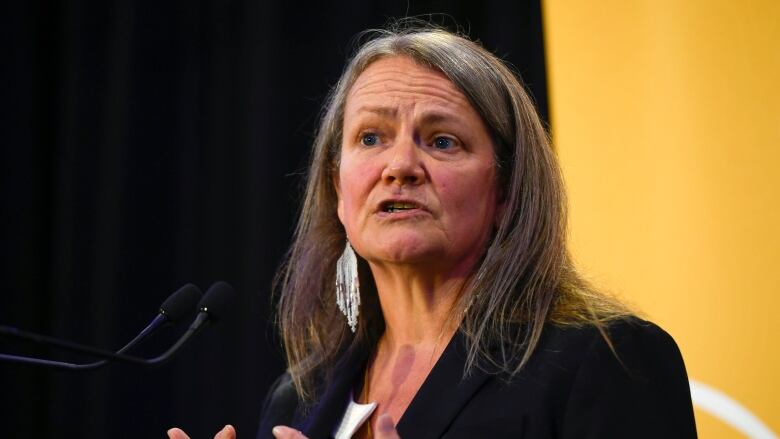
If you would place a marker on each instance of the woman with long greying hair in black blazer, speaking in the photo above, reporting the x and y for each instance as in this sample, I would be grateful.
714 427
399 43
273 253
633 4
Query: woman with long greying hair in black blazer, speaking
459 313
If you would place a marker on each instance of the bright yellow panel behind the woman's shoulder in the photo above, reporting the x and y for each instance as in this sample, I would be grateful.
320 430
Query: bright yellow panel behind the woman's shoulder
666 116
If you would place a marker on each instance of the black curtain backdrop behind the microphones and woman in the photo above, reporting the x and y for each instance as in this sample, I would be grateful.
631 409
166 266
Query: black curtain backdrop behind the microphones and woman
150 144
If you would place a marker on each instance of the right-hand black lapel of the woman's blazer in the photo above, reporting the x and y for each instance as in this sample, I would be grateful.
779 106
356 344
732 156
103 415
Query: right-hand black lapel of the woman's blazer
442 395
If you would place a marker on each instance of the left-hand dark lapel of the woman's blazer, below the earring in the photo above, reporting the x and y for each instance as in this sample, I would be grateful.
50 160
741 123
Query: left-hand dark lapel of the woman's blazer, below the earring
321 421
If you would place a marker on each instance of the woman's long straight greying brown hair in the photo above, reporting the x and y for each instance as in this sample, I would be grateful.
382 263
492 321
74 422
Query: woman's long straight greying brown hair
526 277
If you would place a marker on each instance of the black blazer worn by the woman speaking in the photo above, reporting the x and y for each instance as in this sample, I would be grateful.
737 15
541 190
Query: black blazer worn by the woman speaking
573 387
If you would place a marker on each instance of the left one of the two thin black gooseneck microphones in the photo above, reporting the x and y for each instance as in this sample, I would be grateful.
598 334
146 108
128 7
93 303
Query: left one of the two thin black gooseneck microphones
175 307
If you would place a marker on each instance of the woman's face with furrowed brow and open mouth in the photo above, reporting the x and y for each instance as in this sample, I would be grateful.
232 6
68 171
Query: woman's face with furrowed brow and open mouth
416 180
